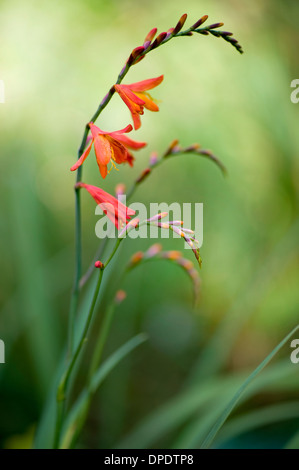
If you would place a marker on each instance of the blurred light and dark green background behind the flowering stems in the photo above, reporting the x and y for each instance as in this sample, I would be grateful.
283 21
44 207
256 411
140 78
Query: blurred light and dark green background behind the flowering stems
58 59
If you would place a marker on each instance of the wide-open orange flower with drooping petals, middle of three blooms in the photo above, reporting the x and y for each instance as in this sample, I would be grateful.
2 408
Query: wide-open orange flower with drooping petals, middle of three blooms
109 146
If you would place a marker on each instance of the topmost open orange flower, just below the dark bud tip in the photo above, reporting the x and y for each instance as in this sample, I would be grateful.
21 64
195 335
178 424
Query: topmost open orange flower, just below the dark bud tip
135 96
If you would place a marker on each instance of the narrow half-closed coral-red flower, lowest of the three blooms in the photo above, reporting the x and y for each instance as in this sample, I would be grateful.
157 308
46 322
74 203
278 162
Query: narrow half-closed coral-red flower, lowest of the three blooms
117 212
